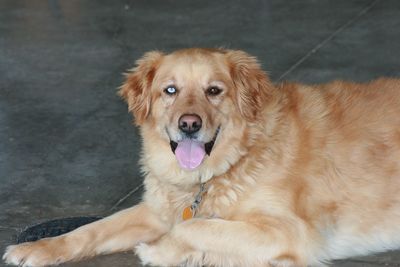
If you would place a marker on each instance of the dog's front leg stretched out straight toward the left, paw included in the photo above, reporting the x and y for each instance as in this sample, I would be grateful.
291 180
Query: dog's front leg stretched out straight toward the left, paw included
119 232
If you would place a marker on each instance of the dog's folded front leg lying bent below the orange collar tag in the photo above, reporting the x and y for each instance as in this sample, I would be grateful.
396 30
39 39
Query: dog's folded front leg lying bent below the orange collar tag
218 242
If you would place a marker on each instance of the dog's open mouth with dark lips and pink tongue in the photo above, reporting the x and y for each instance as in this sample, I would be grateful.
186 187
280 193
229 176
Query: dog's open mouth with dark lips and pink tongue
190 152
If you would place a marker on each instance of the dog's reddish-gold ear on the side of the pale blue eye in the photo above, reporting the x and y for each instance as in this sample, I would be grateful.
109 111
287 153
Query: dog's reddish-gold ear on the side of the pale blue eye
136 89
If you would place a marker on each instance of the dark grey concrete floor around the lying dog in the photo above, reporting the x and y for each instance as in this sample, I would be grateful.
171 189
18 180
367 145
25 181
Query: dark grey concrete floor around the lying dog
68 146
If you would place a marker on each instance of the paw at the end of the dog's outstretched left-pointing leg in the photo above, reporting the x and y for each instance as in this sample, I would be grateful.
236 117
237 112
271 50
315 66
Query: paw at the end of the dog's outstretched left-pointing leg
32 254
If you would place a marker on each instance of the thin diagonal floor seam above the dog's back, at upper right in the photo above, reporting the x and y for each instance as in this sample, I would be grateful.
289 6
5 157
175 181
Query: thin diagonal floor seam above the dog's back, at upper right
329 38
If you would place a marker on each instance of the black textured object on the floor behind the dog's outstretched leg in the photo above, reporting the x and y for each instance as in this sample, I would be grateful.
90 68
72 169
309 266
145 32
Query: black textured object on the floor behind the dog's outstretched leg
53 228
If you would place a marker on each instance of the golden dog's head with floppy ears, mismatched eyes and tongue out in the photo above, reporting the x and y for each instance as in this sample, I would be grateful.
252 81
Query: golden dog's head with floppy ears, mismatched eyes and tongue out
198 102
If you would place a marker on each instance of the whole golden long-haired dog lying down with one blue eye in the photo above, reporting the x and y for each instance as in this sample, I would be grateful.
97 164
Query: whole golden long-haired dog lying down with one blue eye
242 172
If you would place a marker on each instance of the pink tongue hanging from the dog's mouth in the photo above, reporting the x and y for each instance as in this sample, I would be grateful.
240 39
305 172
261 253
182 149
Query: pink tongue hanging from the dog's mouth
190 154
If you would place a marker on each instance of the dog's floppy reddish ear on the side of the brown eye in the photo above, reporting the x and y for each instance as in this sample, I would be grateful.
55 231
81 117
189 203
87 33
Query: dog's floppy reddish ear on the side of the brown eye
253 87
